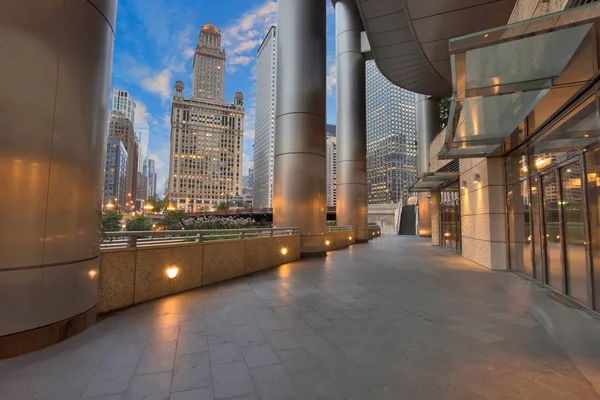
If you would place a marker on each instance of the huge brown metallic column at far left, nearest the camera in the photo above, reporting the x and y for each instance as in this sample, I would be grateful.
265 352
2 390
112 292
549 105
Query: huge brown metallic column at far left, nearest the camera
55 80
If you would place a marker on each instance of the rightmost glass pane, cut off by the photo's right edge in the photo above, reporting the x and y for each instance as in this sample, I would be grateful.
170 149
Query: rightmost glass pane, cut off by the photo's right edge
593 184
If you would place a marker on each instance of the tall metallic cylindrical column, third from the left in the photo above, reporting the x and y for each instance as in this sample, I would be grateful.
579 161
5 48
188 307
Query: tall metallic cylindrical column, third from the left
352 190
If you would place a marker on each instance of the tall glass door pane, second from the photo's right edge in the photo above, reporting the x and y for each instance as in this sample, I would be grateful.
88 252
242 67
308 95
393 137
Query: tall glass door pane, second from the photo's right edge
572 211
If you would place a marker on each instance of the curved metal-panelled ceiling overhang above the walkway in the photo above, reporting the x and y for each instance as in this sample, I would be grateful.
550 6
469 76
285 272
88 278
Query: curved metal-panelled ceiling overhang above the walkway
409 38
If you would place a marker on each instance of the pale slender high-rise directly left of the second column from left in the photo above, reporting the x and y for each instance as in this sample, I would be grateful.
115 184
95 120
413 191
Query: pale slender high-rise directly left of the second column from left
264 125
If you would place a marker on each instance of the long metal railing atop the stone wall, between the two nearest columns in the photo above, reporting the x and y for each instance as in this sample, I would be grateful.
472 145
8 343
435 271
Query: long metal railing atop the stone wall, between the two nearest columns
119 240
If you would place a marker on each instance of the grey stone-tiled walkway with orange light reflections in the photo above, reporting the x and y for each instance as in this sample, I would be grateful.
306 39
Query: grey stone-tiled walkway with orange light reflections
392 319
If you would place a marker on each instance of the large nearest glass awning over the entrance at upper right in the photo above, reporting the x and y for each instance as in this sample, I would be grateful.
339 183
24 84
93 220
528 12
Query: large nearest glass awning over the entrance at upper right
500 75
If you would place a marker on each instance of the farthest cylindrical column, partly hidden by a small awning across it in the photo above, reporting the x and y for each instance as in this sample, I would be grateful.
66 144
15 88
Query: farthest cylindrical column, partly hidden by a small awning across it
428 126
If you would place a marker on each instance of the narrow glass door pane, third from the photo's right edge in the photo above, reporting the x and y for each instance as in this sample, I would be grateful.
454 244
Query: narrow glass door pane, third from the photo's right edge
555 276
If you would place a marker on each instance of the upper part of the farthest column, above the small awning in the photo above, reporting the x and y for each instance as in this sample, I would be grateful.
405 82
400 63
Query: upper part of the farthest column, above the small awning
428 126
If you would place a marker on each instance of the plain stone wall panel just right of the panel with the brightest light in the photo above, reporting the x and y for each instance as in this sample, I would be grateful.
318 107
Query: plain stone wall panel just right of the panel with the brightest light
223 260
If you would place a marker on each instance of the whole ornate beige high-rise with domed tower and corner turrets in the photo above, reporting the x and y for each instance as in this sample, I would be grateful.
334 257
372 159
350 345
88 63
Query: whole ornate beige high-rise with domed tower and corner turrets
206 133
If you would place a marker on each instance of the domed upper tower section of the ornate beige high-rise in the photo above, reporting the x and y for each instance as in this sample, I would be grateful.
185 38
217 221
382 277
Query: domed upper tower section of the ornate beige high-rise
208 81
